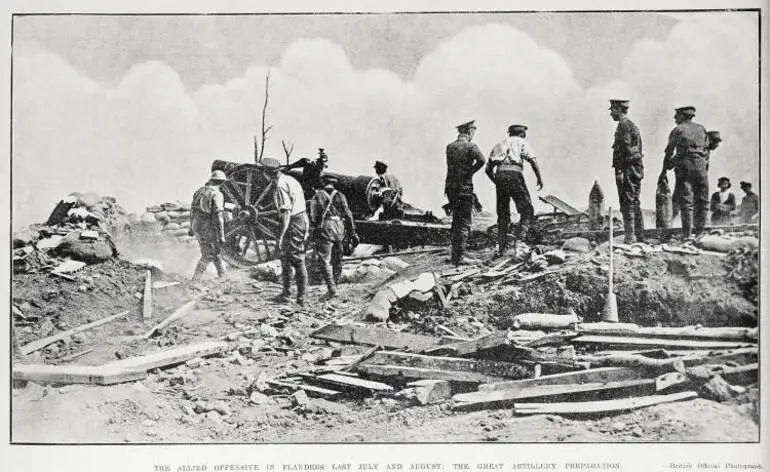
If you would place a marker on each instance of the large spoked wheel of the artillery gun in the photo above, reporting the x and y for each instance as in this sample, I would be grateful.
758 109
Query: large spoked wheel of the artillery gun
252 221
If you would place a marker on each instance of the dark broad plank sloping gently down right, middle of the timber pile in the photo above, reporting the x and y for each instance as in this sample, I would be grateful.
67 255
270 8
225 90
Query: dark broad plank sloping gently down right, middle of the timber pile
490 368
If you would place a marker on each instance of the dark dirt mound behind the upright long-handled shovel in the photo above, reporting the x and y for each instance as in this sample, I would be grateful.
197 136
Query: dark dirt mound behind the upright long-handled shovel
661 288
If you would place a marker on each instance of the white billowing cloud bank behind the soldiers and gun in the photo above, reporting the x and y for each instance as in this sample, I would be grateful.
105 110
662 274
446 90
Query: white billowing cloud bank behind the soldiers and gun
147 140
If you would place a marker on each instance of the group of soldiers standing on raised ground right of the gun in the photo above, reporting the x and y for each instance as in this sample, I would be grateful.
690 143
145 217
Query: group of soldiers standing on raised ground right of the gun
687 153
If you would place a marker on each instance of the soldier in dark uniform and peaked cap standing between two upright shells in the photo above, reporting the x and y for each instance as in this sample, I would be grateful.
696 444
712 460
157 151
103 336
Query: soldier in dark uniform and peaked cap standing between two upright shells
629 170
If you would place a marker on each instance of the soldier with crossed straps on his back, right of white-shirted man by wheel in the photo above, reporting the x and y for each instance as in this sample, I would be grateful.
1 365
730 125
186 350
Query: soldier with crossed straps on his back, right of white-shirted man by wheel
330 217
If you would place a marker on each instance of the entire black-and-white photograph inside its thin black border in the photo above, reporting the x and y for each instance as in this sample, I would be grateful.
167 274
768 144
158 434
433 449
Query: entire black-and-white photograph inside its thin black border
385 227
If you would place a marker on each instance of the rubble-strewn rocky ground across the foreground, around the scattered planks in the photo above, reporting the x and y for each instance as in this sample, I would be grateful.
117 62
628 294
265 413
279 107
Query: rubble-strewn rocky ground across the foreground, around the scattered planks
212 400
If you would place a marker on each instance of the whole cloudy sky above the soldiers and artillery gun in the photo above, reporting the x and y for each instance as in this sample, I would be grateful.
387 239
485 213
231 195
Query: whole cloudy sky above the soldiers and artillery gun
137 107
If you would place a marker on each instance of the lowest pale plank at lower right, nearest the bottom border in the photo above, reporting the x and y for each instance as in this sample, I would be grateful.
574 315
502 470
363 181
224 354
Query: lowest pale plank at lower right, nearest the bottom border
594 407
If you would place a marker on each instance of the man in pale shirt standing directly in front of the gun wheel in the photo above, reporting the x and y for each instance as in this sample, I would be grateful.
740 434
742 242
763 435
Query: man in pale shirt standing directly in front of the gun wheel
290 202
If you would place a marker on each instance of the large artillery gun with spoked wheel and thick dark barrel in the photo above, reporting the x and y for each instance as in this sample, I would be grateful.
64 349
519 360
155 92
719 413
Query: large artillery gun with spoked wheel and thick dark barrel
252 221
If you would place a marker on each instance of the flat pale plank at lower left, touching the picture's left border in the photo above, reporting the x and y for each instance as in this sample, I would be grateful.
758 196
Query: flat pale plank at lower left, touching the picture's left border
75 374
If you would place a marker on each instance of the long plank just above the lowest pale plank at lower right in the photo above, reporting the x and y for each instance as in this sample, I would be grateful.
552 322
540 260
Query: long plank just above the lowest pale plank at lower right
507 398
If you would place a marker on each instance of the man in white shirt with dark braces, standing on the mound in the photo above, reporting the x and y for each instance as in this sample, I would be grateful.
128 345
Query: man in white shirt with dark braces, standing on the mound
505 169
